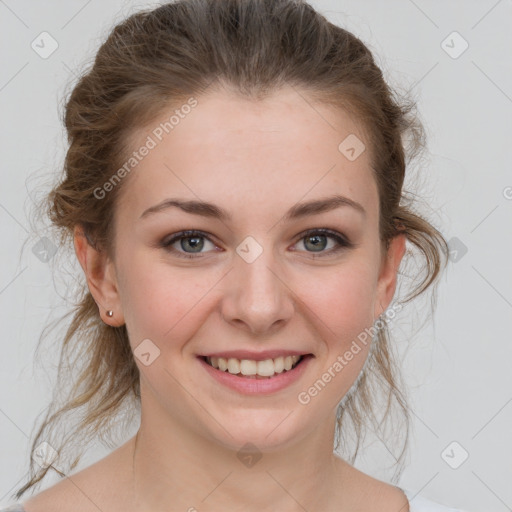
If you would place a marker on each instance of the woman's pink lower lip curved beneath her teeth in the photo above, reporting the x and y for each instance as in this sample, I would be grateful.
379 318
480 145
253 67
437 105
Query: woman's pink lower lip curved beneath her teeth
258 386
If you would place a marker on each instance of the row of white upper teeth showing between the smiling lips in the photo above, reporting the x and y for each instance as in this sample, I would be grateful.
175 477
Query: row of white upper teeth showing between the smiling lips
258 370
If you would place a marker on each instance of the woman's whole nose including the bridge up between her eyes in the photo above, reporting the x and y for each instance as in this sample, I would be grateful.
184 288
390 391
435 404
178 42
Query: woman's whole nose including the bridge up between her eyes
257 295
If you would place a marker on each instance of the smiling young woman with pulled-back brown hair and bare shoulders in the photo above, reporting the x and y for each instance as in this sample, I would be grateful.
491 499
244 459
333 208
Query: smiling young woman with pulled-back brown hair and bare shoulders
233 190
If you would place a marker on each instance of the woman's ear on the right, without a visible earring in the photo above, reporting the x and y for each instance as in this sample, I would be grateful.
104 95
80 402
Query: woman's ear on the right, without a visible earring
388 273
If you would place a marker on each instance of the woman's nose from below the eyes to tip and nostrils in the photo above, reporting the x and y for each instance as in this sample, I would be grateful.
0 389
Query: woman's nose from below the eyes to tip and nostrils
257 296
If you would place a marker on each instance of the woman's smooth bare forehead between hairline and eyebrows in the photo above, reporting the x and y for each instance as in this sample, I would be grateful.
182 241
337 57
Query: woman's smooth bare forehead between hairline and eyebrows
230 148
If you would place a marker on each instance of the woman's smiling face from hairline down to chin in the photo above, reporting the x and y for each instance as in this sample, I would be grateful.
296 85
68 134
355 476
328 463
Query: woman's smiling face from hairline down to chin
252 280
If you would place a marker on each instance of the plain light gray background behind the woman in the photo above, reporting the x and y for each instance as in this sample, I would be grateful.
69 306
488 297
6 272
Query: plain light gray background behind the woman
457 366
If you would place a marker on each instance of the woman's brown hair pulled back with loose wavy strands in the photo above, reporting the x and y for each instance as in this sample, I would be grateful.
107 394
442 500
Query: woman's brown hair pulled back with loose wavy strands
159 57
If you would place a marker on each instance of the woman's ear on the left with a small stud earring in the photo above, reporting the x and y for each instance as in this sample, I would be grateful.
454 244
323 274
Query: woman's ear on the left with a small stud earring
101 278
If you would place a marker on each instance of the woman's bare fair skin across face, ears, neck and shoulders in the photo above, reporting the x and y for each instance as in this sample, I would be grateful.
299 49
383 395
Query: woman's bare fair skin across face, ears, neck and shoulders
256 160
